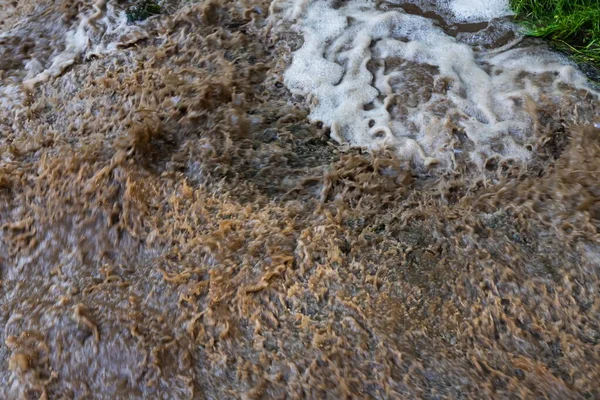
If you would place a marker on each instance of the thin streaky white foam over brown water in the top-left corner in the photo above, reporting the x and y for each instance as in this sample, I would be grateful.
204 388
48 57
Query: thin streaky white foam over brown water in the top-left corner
57 43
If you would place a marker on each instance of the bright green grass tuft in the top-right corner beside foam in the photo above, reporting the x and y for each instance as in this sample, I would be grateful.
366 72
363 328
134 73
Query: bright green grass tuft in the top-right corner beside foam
572 25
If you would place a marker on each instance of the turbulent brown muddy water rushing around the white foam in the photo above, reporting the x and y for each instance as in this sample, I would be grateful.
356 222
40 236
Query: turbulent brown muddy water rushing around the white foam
174 227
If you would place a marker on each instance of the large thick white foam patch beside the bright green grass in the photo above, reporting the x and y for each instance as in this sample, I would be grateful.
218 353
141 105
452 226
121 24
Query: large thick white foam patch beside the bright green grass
483 95
